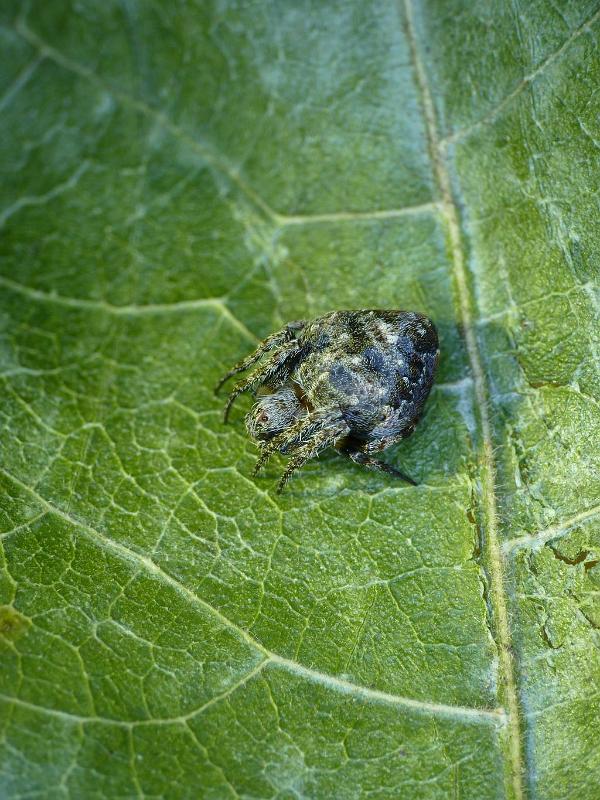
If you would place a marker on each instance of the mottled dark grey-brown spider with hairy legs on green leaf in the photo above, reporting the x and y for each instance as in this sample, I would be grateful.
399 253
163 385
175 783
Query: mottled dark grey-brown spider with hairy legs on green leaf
357 380
